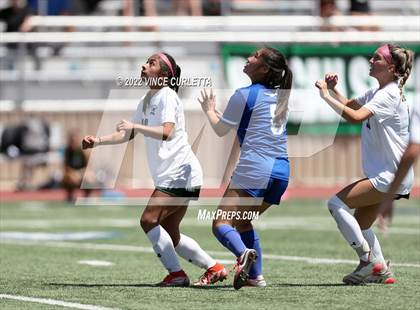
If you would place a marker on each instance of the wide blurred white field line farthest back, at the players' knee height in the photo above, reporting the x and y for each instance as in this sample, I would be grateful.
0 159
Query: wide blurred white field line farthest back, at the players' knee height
270 223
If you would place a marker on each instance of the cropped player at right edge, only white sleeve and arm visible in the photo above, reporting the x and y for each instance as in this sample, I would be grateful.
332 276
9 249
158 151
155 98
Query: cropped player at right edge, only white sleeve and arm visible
407 160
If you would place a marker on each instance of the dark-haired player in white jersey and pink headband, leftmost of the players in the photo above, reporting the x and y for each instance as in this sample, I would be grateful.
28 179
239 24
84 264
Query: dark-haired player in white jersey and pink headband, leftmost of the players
176 171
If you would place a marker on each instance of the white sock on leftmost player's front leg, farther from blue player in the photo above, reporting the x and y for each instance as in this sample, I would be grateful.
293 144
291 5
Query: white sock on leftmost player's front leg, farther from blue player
164 248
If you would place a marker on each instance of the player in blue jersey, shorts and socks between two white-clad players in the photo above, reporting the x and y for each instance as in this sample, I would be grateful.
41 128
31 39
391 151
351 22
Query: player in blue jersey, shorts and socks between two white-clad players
258 113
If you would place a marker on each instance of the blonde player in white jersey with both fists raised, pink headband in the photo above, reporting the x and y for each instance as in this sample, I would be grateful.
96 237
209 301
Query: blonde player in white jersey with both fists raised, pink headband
384 115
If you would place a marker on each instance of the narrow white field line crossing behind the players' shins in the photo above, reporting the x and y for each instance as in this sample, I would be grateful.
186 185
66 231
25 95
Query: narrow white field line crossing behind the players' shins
141 249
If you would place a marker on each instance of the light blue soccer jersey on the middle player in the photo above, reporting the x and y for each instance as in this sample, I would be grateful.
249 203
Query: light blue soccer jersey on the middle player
263 145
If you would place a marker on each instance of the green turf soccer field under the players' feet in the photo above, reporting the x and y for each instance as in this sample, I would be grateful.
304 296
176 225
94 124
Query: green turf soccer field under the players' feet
296 236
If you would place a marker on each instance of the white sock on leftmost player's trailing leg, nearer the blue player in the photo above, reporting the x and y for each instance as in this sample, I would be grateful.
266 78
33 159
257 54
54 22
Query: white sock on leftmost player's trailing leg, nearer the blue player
191 251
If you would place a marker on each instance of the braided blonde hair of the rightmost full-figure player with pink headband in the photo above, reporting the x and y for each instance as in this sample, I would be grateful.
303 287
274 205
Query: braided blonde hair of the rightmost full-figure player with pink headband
402 58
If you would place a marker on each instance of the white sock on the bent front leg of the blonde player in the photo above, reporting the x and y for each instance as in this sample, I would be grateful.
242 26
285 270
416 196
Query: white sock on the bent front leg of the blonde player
349 227
